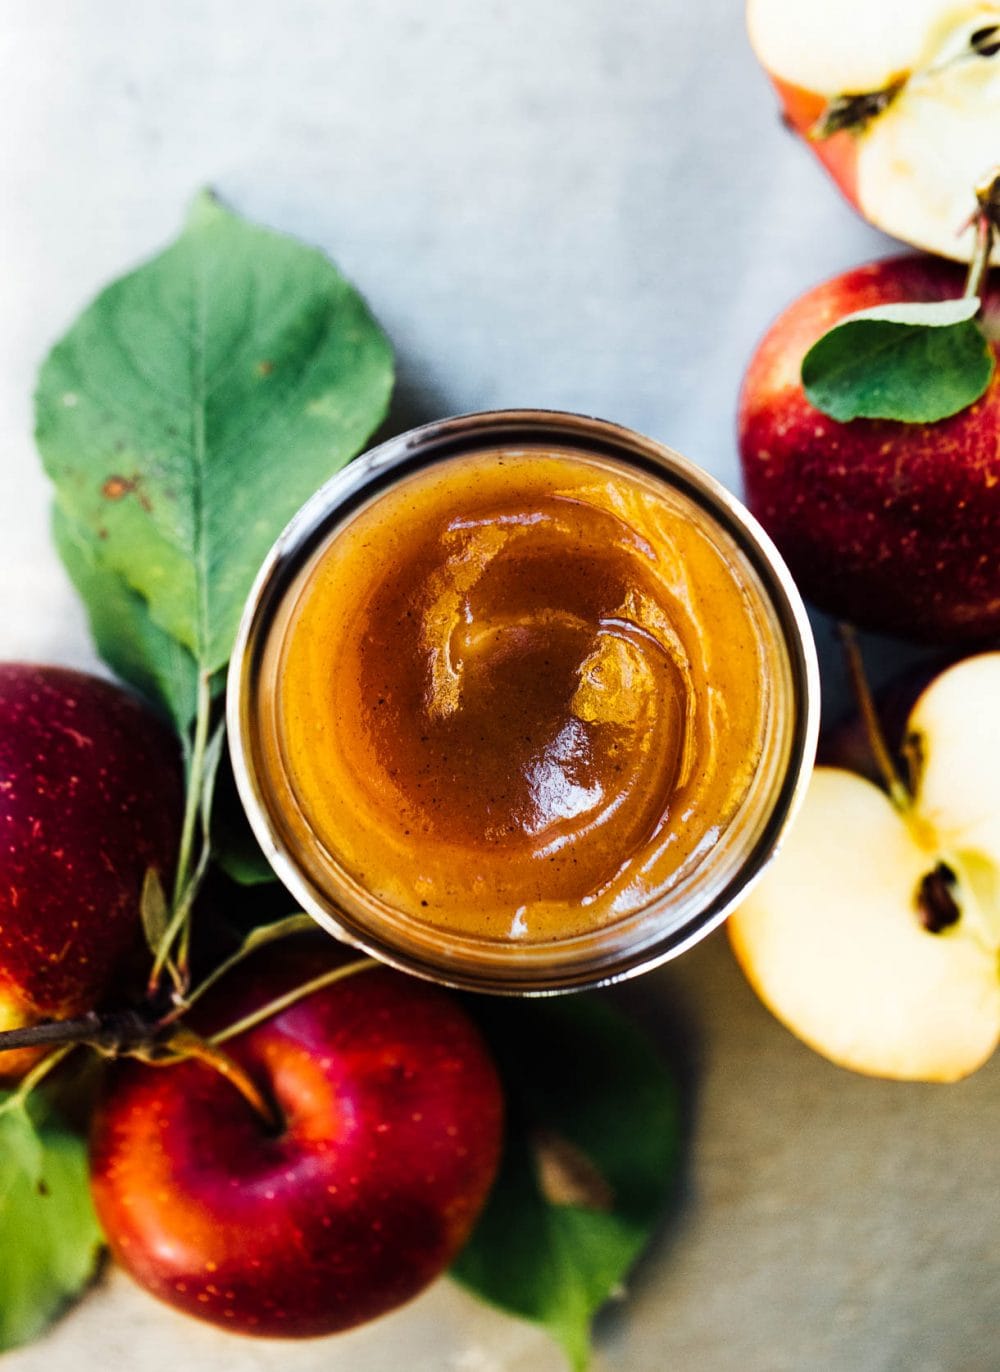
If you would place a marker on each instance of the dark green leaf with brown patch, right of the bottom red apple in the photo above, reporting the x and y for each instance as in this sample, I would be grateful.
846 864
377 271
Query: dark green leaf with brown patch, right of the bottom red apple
591 1157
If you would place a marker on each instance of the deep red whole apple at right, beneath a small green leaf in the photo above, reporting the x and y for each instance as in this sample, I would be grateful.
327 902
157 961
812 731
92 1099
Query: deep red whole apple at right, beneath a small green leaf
895 528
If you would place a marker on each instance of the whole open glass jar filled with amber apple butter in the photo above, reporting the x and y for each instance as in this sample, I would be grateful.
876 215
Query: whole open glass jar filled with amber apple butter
522 703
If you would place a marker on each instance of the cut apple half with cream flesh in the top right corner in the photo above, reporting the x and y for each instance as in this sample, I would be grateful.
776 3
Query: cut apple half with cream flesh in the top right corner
933 72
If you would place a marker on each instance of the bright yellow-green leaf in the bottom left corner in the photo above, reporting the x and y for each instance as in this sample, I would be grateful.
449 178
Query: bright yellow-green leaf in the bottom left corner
50 1241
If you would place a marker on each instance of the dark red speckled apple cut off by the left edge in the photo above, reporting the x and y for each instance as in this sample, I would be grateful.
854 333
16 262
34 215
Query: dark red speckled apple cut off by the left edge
91 795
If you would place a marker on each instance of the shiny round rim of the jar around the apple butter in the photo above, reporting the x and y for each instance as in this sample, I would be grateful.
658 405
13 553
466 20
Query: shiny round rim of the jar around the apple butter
464 436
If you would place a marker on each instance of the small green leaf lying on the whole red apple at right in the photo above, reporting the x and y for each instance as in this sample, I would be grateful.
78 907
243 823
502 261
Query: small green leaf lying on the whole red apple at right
914 363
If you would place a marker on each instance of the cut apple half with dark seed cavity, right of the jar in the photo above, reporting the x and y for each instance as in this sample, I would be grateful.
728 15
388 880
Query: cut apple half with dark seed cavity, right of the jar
851 939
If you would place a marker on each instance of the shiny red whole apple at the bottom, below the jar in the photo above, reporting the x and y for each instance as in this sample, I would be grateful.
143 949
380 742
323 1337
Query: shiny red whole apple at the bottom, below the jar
393 1130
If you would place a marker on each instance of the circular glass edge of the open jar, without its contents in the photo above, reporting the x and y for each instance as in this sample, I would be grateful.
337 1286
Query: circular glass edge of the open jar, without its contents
611 951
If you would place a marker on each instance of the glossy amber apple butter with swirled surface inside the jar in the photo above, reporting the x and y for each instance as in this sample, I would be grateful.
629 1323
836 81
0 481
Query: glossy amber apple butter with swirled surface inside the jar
521 695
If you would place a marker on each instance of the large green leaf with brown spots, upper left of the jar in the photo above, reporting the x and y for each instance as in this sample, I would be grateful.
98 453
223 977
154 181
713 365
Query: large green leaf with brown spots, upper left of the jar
197 404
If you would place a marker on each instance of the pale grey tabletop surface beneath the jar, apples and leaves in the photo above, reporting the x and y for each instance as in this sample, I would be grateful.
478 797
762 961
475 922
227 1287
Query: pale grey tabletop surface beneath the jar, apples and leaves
574 204
